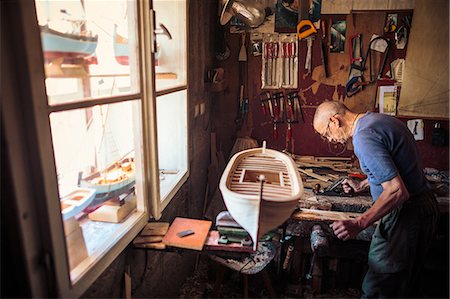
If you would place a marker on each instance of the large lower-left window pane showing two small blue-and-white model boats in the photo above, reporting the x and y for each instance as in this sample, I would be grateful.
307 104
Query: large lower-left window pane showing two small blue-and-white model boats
98 163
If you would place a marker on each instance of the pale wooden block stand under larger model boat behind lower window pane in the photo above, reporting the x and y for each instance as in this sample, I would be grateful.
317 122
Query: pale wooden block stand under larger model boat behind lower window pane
115 213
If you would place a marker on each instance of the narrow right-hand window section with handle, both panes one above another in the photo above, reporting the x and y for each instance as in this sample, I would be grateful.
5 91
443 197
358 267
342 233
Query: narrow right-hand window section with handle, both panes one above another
171 98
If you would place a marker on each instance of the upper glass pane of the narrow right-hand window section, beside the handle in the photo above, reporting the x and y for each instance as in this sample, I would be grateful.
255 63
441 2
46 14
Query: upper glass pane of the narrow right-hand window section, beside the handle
170 57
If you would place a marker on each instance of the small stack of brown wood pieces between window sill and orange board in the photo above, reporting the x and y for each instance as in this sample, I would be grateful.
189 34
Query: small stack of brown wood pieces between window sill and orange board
152 235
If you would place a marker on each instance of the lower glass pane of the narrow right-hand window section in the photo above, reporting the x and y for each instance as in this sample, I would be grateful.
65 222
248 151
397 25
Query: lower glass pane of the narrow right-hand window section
172 139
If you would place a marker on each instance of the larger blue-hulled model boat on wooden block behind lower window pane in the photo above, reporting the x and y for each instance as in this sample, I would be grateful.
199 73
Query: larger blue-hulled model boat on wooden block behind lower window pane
110 183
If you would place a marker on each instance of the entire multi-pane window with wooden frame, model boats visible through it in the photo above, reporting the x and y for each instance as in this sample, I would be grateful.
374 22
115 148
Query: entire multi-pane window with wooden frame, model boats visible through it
114 123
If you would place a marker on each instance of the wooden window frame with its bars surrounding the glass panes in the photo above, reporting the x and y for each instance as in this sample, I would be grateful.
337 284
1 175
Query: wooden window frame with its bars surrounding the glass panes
152 207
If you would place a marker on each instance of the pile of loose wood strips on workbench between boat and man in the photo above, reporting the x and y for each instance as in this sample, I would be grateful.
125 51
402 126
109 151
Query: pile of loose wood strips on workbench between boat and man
323 170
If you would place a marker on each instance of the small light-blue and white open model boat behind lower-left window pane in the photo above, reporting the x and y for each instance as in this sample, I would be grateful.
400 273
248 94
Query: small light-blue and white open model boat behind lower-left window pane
76 201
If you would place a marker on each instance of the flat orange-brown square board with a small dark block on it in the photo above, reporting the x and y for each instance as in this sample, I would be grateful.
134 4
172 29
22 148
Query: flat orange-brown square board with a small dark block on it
195 241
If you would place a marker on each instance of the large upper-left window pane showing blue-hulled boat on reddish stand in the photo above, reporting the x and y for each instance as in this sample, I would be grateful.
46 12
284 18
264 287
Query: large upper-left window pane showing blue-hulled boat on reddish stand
89 51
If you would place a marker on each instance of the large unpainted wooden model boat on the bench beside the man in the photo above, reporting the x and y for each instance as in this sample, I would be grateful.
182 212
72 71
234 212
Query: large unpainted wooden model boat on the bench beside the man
261 188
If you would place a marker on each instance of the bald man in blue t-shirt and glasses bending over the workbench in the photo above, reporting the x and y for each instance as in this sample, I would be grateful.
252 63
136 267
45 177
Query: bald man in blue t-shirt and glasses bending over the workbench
403 202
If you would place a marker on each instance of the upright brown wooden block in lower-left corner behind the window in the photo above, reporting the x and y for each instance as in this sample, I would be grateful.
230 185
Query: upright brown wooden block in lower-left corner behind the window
76 246
